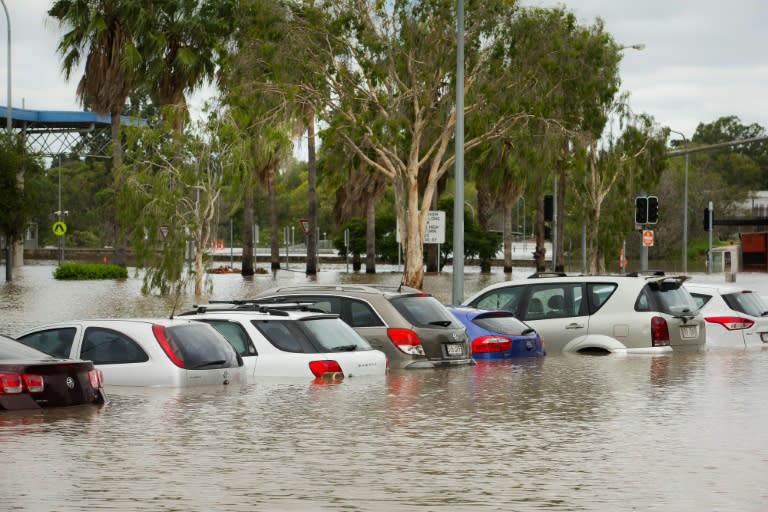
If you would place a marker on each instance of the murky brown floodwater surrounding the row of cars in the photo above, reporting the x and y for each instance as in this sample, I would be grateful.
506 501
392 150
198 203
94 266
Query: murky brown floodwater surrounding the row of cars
681 432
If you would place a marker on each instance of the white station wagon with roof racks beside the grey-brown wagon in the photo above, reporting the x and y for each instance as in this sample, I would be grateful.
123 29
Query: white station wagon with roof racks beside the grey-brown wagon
281 343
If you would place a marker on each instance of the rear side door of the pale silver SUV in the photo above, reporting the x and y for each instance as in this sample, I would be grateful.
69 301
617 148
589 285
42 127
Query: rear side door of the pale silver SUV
557 311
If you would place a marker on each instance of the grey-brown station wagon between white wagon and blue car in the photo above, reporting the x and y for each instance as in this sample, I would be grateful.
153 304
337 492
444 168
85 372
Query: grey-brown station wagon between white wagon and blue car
410 326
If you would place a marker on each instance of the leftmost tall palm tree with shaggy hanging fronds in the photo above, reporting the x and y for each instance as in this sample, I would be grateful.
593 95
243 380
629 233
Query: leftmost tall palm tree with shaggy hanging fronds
102 33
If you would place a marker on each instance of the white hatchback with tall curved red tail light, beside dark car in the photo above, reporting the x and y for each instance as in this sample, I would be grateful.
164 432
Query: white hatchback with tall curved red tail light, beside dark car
143 352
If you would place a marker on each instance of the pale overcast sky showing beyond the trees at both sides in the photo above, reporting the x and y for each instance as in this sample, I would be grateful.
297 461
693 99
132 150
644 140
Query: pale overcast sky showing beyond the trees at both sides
703 59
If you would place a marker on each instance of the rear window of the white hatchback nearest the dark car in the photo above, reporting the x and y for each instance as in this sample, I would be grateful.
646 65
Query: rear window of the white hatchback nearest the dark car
201 347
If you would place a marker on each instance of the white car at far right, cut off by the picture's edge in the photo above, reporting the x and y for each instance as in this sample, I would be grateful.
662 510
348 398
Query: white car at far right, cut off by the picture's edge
736 317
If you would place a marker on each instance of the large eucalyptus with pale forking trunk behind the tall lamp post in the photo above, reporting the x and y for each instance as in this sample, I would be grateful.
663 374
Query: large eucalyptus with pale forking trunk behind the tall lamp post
395 82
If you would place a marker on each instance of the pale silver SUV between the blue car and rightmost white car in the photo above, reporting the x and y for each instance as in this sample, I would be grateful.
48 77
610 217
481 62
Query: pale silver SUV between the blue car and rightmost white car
601 314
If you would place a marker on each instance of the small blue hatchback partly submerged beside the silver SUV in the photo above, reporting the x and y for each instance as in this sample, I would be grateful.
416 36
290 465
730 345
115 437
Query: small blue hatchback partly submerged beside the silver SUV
498 334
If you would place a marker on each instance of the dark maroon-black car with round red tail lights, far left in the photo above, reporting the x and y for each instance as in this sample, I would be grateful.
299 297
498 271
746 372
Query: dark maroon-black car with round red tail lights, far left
30 379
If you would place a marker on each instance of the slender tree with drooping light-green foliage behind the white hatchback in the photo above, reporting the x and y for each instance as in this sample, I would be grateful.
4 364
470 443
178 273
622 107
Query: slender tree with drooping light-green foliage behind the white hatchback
172 188
